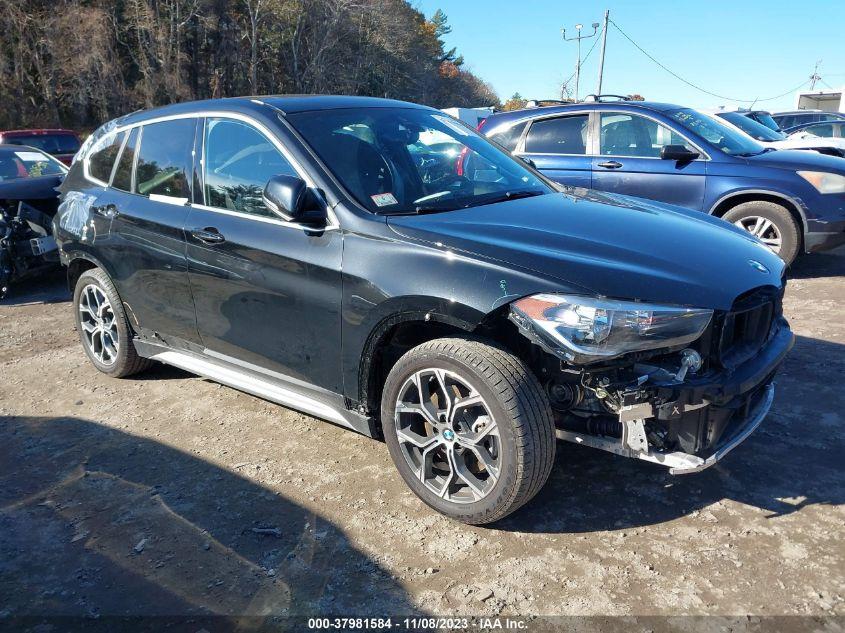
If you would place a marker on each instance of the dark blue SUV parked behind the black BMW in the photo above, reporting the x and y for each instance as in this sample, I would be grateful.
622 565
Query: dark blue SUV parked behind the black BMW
793 201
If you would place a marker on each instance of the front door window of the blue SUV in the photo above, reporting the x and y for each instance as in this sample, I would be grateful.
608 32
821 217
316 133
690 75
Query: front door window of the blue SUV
632 135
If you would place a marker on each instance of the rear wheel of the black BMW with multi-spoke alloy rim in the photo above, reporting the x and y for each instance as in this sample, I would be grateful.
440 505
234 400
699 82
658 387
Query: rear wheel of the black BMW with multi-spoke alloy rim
104 330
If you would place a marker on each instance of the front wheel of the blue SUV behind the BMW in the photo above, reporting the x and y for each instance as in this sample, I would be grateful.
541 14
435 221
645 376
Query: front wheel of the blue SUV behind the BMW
772 223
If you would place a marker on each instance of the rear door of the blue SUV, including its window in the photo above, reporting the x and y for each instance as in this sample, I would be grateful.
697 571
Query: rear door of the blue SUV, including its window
558 146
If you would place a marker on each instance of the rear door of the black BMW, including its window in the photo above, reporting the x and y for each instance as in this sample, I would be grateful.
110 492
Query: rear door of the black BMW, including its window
146 244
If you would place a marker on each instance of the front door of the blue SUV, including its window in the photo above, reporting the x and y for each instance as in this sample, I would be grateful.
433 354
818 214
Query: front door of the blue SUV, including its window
629 162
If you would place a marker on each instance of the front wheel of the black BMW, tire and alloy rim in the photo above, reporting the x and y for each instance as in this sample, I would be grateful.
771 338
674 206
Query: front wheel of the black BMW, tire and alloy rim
469 428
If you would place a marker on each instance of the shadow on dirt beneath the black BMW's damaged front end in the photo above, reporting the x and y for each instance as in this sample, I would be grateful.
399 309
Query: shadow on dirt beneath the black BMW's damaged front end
792 461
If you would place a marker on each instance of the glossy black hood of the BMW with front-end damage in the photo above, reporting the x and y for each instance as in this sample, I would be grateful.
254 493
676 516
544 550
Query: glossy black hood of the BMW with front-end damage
610 245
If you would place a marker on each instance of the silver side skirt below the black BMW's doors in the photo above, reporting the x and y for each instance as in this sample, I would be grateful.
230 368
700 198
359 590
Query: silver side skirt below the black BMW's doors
260 382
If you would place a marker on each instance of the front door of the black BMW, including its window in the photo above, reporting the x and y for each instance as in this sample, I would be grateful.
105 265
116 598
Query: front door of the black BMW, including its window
267 292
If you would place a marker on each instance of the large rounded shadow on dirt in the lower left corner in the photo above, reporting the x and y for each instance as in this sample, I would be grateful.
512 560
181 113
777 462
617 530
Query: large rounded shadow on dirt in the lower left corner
94 521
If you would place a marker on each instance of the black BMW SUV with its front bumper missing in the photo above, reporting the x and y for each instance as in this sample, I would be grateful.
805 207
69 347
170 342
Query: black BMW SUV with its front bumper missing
338 256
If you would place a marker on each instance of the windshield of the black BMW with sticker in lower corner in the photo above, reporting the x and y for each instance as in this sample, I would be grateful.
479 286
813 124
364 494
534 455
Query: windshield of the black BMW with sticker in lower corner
405 160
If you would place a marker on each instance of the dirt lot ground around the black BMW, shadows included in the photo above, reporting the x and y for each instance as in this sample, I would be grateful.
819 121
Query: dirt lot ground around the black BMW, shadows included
170 494
